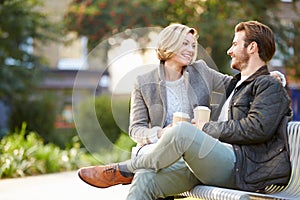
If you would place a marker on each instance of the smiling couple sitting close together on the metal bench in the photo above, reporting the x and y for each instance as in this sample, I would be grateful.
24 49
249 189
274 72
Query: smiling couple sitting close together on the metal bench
243 148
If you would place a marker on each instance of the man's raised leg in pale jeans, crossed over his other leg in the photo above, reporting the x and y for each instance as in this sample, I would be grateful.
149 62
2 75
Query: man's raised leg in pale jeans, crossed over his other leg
211 161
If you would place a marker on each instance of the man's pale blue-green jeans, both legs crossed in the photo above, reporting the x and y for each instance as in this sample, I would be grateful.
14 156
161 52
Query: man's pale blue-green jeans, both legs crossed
161 172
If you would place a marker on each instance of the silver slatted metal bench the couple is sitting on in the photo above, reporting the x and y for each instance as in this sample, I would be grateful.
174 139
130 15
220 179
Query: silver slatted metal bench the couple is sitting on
291 191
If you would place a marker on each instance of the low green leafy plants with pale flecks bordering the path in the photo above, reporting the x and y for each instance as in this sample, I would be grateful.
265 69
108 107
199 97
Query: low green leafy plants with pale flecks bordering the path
25 154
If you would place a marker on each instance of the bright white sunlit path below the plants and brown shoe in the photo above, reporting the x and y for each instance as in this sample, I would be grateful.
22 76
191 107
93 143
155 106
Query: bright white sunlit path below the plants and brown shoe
57 186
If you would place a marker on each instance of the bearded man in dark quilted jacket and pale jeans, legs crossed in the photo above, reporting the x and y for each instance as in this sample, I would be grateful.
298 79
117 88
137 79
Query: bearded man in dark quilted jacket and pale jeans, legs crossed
246 149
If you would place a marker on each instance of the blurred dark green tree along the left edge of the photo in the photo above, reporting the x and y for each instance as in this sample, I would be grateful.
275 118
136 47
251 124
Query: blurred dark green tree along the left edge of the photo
21 25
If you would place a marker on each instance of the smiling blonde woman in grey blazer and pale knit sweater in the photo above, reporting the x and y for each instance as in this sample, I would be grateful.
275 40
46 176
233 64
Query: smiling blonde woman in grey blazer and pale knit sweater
179 84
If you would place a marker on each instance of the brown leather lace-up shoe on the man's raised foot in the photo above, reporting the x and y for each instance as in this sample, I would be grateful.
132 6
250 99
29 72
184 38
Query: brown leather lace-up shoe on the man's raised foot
103 176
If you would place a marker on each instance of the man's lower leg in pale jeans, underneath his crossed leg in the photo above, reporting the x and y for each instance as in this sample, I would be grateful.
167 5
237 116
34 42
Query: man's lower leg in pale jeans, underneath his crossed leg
148 184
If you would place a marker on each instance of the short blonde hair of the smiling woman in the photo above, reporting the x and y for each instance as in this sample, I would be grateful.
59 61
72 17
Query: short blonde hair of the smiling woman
170 40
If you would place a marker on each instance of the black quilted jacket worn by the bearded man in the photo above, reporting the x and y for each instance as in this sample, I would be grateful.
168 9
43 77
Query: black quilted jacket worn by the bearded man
258 115
